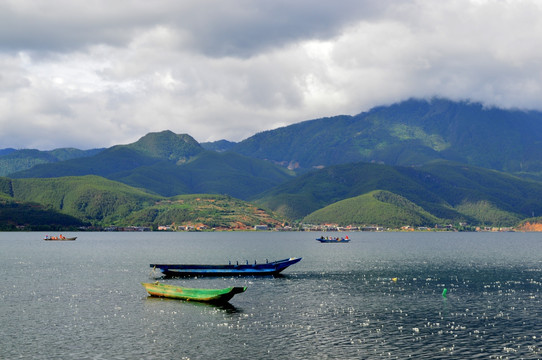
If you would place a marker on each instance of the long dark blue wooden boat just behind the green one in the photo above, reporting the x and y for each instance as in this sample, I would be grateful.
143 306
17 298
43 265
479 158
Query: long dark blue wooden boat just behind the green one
267 268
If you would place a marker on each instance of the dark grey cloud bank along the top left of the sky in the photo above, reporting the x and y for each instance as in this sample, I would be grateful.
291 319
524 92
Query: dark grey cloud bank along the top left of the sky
216 28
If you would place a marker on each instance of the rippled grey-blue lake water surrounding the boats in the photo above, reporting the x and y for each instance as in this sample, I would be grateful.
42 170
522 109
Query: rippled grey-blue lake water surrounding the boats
378 297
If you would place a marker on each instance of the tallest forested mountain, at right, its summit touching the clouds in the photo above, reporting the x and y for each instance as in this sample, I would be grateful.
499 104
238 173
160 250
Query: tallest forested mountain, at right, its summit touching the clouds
413 132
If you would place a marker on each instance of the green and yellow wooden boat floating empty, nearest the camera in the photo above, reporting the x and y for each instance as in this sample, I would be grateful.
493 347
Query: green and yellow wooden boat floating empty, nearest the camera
183 293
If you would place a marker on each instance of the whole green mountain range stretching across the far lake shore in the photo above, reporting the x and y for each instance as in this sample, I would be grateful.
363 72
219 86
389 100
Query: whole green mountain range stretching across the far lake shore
418 162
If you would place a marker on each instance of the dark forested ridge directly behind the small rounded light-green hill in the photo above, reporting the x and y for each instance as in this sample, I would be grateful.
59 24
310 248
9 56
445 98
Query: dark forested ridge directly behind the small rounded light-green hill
447 191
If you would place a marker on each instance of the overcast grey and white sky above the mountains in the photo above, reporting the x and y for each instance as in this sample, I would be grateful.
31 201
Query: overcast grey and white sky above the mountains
90 74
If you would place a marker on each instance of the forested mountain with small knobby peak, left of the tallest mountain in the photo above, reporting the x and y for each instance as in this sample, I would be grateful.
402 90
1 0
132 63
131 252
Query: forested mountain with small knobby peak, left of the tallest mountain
169 164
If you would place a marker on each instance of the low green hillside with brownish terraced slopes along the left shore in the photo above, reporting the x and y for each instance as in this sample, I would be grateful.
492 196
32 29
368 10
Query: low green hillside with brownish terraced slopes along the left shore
70 202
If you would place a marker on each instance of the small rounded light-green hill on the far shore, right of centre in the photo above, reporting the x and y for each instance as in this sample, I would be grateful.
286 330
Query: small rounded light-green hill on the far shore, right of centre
375 208
